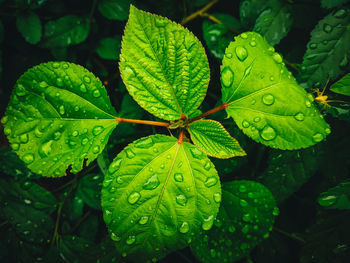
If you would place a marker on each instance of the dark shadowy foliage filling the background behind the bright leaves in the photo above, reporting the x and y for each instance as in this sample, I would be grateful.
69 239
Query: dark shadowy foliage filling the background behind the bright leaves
60 220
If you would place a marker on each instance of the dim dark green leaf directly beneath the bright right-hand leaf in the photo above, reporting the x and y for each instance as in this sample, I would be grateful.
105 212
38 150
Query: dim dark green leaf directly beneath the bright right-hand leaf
287 171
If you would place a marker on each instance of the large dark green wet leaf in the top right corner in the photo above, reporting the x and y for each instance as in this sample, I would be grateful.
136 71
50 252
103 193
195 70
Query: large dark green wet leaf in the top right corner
328 51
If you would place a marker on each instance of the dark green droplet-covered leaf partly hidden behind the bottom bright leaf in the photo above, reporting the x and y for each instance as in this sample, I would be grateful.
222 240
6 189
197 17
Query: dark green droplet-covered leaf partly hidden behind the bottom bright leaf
245 218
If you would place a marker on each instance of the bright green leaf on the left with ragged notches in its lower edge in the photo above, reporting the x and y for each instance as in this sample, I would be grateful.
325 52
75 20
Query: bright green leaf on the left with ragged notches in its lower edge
58 116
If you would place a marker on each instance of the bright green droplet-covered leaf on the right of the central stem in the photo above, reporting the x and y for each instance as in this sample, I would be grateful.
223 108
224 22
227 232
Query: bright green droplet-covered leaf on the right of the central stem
265 100
